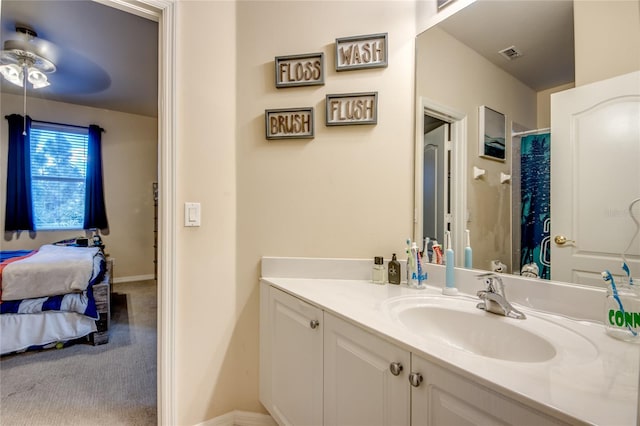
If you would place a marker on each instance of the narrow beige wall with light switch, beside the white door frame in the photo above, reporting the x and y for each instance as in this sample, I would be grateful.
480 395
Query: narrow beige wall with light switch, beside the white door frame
208 375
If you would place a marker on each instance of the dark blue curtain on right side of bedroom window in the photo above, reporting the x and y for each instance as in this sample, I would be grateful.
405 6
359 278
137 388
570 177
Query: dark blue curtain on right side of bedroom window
95 213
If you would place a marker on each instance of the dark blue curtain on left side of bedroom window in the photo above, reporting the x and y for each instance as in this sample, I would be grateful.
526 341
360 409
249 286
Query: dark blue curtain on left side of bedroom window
19 212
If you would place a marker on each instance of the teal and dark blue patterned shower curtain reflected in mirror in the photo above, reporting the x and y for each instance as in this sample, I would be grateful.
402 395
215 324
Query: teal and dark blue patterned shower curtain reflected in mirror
535 223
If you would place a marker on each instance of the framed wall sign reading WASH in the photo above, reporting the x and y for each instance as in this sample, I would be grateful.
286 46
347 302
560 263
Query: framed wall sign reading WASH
367 51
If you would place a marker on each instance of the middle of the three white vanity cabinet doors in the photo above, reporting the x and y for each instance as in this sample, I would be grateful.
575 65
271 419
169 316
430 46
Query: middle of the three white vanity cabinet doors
360 388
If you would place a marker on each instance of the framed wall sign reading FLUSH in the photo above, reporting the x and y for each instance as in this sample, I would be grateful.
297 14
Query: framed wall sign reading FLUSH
352 108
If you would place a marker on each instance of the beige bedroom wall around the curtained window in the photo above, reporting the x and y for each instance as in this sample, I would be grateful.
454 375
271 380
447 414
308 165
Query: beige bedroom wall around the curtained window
129 148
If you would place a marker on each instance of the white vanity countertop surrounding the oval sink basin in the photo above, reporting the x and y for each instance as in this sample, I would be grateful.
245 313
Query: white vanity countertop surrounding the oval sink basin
599 387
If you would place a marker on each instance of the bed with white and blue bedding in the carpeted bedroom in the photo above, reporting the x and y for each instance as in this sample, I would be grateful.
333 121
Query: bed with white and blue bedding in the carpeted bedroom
51 296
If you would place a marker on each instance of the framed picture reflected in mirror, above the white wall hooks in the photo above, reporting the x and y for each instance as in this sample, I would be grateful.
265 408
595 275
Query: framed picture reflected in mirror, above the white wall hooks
492 134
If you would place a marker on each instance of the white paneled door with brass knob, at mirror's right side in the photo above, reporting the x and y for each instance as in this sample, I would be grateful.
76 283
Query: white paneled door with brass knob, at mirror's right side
595 175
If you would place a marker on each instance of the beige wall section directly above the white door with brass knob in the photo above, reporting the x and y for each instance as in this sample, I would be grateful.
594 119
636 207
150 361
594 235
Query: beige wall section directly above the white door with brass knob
607 35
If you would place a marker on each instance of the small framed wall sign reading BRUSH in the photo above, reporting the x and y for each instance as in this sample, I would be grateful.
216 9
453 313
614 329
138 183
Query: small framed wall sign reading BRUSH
290 123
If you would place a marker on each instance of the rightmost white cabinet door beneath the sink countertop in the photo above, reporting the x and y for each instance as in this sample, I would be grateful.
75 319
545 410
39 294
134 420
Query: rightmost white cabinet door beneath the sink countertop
446 398
